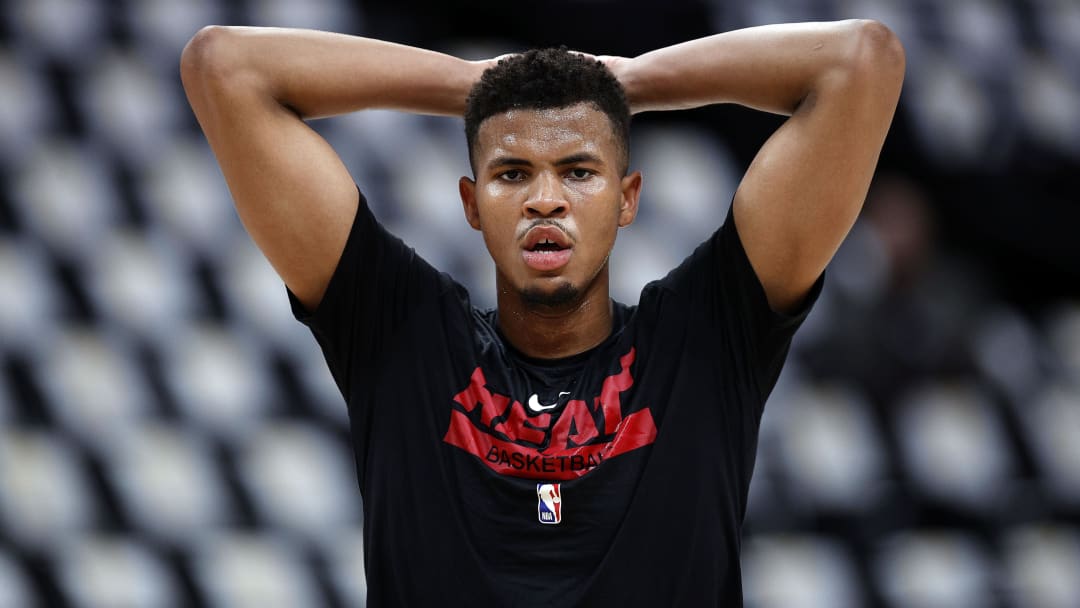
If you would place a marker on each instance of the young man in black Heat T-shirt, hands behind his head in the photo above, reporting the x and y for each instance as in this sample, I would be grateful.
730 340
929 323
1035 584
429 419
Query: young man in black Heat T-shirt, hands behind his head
562 450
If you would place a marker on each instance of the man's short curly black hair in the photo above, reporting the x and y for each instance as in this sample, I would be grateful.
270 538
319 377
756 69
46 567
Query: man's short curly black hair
548 78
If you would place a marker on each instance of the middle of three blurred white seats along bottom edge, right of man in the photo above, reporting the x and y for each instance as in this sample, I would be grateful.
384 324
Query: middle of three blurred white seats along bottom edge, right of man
934 571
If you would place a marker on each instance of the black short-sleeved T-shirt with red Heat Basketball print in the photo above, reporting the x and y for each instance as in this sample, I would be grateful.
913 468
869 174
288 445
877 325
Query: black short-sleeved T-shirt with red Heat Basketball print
614 478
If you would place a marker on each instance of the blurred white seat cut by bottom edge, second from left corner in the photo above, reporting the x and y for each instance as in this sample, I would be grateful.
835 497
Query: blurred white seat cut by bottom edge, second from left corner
107 572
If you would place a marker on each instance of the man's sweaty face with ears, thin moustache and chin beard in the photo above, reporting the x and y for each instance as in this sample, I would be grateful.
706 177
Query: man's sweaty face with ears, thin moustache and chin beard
549 198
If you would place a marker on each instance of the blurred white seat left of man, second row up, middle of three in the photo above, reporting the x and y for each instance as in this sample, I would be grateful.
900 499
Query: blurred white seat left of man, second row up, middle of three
169 483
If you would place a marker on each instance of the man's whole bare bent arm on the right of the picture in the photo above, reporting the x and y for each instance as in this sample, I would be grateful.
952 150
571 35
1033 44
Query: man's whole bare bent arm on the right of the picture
839 82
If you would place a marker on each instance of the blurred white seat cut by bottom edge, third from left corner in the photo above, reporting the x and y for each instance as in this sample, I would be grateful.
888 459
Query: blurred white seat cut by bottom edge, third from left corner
250 571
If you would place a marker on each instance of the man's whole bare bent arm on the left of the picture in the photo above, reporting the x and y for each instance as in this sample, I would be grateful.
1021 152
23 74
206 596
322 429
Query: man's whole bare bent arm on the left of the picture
251 90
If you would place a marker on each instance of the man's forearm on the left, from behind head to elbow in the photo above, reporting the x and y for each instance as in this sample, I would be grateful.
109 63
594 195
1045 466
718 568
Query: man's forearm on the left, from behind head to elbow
319 74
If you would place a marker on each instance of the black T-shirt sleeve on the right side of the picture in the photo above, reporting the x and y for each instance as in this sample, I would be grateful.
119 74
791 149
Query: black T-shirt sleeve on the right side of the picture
720 288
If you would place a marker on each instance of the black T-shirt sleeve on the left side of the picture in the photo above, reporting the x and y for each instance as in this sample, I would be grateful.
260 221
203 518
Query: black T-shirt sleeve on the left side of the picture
379 282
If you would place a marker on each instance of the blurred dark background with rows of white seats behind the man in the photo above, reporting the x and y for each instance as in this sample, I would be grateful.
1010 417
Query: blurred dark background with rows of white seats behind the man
170 437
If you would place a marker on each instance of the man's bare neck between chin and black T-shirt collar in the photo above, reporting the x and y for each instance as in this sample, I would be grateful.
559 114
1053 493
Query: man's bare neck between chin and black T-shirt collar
553 333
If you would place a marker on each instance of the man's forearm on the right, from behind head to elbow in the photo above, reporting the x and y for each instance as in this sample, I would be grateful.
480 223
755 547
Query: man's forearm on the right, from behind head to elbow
772 69
